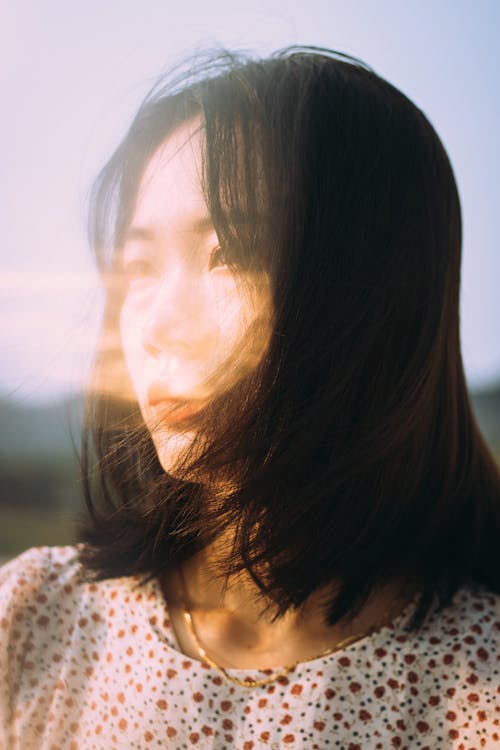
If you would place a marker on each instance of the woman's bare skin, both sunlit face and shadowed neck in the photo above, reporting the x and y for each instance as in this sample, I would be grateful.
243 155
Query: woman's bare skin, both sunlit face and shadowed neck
183 315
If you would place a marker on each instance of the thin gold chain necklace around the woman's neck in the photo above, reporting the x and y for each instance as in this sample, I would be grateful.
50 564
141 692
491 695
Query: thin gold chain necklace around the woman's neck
251 682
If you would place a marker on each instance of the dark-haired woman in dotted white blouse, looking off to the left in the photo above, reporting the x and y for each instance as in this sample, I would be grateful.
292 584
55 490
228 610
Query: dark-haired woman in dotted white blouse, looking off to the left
294 521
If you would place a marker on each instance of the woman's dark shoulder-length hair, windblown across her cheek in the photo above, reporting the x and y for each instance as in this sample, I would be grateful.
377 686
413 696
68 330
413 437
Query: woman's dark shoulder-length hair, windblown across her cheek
354 454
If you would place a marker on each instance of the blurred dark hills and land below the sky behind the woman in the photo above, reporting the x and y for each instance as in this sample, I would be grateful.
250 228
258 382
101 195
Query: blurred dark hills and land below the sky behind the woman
40 488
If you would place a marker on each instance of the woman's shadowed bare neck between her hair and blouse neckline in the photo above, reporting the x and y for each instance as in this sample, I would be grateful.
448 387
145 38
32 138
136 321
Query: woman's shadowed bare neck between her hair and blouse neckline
233 627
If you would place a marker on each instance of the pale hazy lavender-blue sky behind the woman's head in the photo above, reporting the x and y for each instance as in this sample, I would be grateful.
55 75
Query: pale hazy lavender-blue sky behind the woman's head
73 74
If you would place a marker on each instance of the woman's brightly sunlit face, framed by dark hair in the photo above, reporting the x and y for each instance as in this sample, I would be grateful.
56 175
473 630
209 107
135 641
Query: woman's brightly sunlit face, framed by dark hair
184 312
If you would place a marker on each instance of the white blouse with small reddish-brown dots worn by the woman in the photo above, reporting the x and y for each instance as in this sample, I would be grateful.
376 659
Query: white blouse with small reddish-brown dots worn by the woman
86 666
